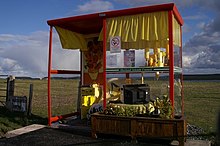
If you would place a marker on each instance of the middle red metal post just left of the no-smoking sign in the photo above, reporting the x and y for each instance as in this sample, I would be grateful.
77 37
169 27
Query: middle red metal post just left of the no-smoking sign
104 63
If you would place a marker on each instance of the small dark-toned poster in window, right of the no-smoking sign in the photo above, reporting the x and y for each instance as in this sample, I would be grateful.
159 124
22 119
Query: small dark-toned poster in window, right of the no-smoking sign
129 58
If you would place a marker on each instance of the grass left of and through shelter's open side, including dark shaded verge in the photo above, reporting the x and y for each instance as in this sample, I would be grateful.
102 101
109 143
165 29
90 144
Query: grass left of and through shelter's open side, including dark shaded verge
64 96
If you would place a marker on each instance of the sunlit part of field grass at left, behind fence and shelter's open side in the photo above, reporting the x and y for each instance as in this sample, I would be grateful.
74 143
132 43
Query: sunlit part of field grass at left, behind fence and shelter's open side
64 95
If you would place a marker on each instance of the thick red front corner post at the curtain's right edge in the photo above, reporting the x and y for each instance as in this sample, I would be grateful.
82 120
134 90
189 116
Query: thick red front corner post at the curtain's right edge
171 53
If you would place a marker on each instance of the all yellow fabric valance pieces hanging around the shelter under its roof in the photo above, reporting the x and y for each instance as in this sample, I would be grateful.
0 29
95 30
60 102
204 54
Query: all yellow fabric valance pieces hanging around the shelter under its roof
148 30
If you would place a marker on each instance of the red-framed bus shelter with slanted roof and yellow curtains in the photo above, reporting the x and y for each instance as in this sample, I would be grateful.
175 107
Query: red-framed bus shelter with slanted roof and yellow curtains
154 29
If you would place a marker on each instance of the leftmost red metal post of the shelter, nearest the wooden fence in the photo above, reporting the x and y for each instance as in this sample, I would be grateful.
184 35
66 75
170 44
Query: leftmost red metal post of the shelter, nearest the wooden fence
49 75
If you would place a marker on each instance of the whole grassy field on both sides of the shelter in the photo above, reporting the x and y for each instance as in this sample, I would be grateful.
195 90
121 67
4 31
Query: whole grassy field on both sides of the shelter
202 102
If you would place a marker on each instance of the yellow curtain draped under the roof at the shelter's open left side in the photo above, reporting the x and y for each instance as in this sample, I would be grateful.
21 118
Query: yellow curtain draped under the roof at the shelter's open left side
71 40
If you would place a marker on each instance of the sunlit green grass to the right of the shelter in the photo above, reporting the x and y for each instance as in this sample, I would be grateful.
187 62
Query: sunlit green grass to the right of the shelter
202 104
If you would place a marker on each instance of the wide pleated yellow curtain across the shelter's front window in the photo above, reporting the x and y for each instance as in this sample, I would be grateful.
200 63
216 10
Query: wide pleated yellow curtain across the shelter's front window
139 31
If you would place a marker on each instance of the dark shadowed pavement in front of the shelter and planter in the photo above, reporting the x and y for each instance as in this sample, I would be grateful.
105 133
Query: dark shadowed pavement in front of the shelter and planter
63 137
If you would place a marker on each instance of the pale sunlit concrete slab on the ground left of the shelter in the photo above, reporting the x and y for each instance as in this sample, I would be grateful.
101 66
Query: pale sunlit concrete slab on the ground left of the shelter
23 130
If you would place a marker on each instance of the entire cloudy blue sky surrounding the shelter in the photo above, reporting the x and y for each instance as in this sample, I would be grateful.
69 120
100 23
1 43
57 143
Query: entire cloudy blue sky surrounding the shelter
24 33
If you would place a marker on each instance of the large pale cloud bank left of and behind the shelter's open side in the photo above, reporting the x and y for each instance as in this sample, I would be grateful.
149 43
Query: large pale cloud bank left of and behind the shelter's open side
27 55
